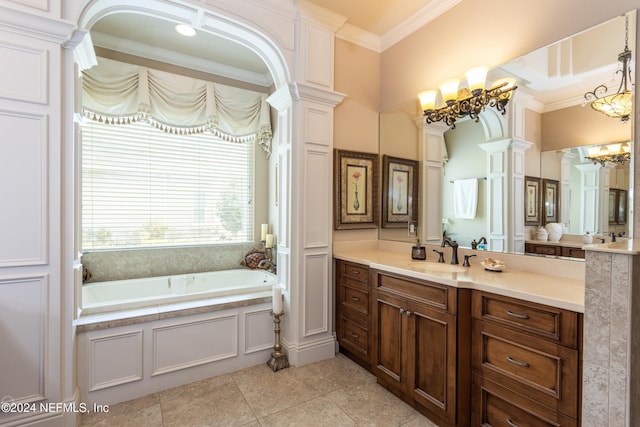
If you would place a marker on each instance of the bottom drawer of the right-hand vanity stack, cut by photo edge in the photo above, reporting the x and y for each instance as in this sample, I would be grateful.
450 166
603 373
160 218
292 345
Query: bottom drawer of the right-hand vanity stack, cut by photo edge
493 405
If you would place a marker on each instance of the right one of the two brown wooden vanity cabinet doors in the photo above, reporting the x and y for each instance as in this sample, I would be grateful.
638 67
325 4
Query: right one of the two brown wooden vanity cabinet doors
432 359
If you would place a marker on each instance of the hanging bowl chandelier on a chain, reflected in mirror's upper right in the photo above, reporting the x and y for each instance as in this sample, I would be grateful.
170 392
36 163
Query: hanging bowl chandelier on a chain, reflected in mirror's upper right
617 105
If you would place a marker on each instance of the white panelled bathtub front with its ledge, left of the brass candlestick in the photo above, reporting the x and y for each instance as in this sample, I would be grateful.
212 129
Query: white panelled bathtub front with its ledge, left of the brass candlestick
129 354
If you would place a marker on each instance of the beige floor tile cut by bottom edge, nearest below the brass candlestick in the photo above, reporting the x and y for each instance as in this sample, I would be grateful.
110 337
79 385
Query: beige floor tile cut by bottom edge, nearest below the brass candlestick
317 412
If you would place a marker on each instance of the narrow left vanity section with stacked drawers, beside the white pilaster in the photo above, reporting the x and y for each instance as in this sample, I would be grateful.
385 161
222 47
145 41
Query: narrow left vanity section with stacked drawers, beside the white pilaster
353 312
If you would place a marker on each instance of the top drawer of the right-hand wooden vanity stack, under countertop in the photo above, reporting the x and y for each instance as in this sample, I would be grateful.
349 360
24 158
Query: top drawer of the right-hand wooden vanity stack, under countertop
539 320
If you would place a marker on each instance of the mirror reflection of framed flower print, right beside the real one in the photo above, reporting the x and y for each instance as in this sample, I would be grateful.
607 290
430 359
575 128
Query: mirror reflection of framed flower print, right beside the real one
399 192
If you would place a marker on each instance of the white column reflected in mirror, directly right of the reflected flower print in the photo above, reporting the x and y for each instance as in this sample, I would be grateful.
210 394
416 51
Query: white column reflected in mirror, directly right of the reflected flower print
431 145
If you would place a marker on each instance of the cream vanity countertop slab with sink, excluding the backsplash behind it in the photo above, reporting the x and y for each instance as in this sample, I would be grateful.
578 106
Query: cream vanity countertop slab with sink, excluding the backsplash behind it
561 292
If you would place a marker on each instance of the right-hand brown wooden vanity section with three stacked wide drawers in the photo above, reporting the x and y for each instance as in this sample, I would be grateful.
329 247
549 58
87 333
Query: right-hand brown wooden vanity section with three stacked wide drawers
526 363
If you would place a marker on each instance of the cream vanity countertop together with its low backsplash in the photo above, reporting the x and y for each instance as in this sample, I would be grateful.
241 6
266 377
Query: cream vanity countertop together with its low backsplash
554 282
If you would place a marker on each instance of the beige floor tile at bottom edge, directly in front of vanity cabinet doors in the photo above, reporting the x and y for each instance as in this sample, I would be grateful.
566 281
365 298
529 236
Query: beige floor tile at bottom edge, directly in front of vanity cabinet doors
368 404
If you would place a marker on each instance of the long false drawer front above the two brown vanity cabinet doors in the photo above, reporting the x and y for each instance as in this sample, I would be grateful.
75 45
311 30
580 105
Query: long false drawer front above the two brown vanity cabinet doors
433 294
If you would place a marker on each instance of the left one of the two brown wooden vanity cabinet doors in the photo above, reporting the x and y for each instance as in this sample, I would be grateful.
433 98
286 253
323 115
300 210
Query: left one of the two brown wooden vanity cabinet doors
389 341
